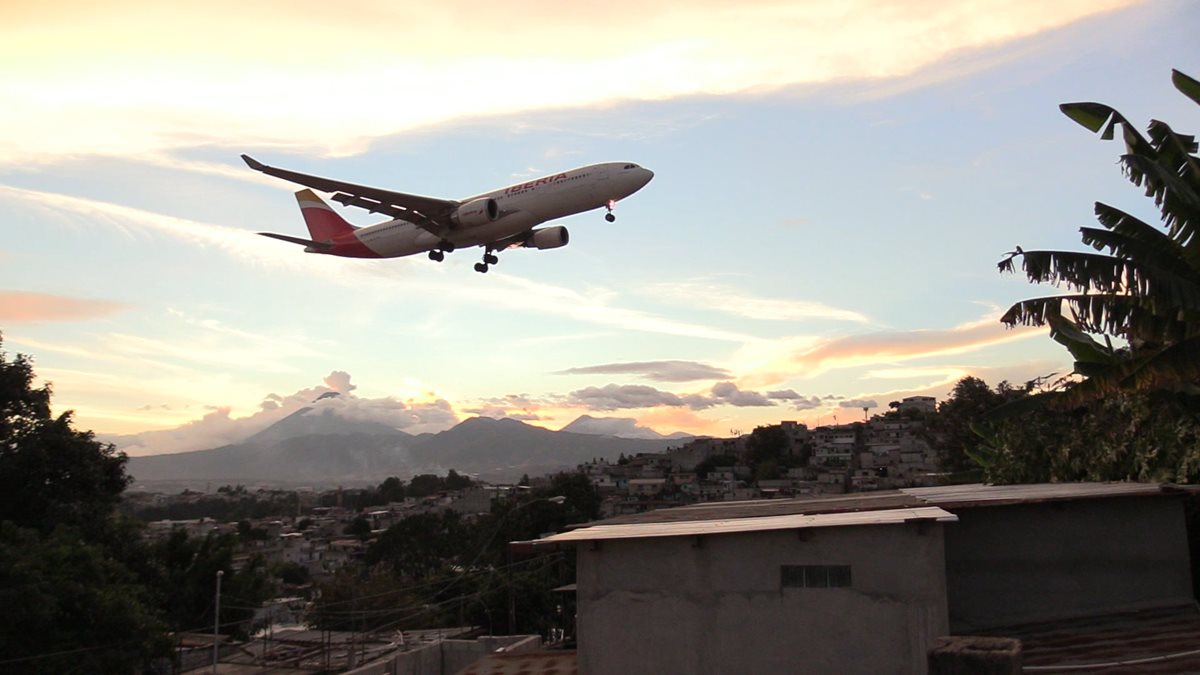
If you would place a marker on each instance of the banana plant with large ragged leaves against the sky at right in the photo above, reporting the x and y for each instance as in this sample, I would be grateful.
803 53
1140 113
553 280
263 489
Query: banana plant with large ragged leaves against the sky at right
1144 286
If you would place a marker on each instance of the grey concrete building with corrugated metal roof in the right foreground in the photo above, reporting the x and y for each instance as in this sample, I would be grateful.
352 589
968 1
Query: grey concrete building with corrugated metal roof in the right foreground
867 583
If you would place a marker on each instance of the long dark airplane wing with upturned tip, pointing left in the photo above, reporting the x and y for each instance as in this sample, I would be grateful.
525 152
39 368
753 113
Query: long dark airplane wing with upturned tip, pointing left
429 213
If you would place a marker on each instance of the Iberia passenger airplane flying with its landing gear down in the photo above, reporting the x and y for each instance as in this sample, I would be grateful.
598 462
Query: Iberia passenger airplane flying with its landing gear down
497 220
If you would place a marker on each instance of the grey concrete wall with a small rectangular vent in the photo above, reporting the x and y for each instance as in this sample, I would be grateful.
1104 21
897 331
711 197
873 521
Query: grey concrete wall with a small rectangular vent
670 606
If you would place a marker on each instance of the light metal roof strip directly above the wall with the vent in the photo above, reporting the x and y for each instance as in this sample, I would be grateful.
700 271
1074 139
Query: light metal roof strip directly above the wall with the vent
793 522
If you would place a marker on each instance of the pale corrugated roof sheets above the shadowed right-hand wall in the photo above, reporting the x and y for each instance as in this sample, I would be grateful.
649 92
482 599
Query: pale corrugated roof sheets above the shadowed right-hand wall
979 495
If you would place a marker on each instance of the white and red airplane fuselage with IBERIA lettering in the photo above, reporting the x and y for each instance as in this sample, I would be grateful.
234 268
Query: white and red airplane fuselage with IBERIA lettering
521 208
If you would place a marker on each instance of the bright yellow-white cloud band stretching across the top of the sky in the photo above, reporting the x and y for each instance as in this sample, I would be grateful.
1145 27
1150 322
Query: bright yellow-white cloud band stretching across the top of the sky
143 77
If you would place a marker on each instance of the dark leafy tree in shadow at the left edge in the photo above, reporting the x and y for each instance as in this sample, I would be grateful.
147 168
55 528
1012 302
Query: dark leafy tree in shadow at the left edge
69 565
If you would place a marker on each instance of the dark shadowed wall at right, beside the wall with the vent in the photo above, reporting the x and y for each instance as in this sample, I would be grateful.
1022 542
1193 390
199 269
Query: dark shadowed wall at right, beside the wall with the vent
1036 563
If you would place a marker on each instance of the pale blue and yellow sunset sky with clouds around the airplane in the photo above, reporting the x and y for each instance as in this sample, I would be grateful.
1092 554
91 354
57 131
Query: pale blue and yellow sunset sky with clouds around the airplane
835 186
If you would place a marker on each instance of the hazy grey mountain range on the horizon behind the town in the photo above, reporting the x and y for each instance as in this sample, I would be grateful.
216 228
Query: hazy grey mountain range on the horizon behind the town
322 449
